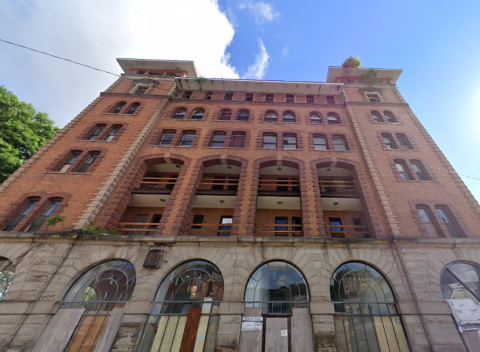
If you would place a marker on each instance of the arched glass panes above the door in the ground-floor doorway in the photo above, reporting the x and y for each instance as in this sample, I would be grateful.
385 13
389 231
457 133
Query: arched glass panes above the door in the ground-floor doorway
277 287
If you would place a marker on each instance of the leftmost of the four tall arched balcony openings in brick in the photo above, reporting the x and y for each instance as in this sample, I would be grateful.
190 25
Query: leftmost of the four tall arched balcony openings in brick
150 196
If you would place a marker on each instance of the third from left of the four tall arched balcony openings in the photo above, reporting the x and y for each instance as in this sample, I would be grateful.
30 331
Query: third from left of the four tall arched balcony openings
278 207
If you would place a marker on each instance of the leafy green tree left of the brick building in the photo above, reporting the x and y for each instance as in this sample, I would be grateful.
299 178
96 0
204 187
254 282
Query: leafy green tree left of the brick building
23 131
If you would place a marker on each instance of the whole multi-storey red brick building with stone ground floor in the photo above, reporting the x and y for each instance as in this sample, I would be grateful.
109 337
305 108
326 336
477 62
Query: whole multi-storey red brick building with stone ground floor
298 216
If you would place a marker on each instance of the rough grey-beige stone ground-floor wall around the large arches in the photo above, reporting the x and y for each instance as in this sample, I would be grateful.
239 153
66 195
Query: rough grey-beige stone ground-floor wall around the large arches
46 266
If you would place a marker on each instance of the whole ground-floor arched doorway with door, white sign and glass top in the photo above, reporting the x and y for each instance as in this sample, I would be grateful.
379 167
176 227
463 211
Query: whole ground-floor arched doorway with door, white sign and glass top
276 315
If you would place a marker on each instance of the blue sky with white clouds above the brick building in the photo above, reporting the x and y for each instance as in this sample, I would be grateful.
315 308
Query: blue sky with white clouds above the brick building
435 43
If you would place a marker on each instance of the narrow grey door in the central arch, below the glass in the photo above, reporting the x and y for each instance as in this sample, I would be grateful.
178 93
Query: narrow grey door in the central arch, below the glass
276 334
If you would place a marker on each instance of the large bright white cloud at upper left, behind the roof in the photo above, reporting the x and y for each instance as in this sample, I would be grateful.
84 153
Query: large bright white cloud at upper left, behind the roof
96 33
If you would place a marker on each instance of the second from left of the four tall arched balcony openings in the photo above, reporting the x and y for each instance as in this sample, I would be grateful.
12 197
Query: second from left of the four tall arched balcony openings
215 199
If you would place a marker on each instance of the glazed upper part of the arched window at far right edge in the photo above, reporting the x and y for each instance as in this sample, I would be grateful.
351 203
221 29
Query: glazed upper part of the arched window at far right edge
461 280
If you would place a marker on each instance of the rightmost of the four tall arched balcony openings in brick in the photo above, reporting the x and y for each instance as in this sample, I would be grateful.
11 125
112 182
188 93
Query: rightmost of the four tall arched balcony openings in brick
343 207
